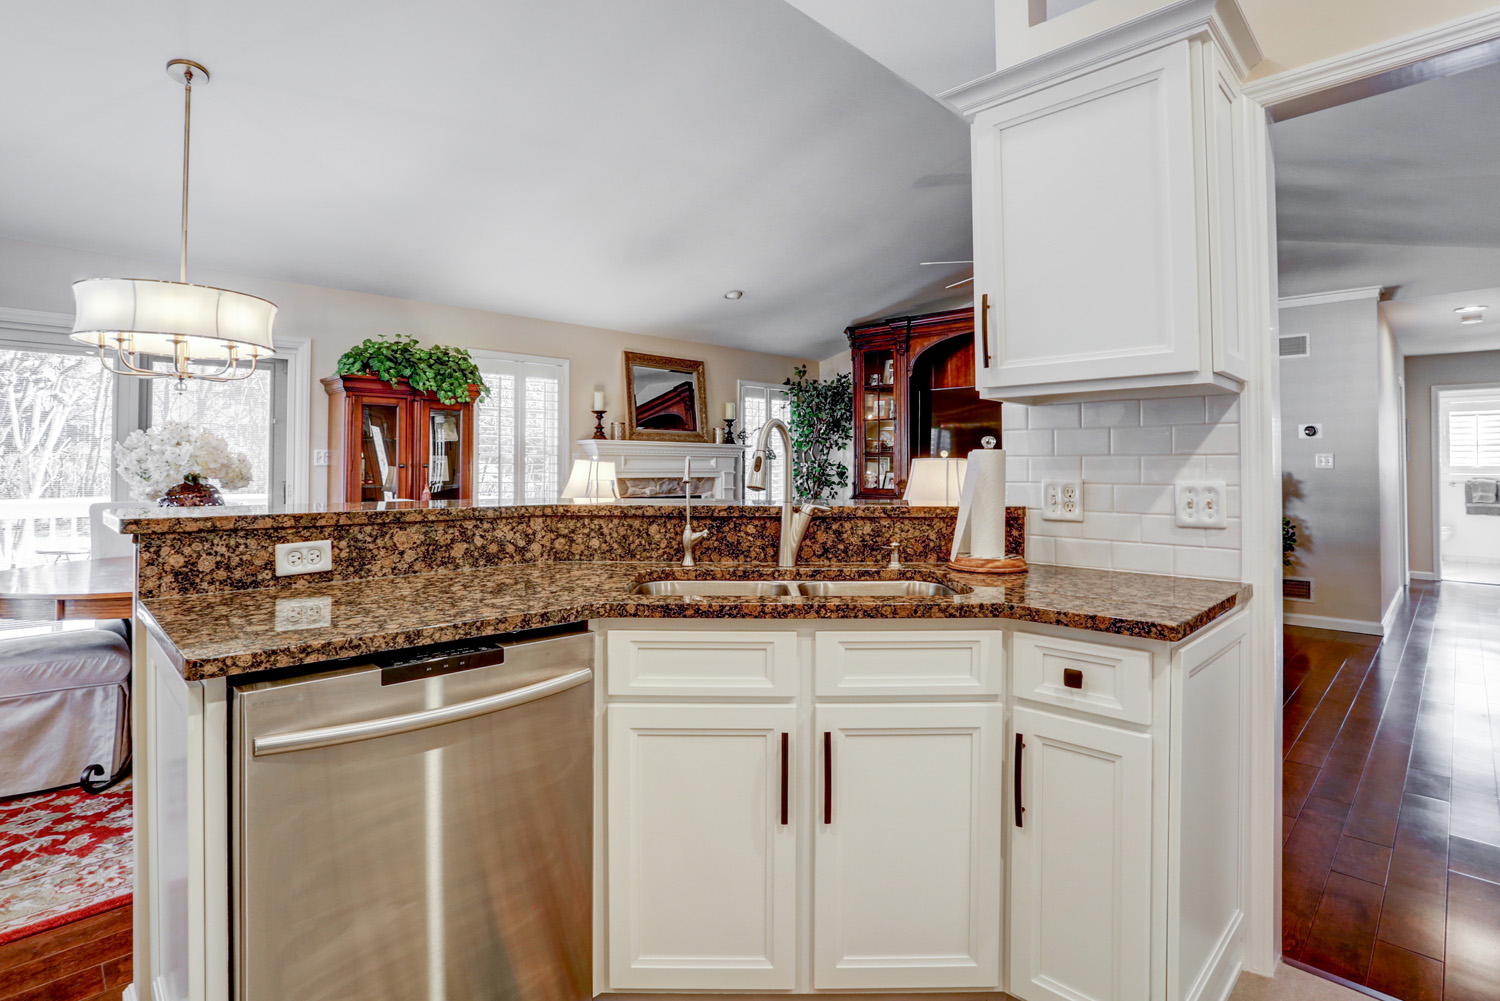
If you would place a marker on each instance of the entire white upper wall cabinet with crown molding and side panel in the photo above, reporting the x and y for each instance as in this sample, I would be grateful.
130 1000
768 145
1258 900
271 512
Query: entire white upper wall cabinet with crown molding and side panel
1106 224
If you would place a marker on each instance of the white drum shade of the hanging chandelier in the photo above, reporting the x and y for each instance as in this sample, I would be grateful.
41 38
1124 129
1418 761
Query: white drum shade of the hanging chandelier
158 316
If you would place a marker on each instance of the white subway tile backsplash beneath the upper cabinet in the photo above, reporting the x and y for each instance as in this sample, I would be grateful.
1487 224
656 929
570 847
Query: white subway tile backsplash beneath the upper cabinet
1129 455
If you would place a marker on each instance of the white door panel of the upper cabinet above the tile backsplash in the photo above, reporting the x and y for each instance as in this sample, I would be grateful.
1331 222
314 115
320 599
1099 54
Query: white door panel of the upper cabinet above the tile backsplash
1087 227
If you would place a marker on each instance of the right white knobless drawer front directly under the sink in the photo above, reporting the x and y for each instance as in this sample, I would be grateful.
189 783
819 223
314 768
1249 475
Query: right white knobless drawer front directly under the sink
946 663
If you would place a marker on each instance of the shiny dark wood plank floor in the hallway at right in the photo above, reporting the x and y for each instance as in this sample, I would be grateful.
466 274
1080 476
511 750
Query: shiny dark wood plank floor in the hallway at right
1391 852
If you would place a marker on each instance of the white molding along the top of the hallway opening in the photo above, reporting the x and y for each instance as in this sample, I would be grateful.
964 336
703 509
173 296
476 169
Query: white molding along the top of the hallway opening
1363 70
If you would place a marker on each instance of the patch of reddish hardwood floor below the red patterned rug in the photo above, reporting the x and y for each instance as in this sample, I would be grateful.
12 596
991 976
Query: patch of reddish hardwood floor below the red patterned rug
82 961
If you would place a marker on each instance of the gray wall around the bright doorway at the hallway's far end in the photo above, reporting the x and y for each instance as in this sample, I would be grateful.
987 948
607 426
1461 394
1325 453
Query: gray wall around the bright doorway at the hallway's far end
1423 373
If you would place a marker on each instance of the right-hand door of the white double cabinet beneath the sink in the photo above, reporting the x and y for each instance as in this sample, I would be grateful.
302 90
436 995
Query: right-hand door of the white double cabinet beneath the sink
908 847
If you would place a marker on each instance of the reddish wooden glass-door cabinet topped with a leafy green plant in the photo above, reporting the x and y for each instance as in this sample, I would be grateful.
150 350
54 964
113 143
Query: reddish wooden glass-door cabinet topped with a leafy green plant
395 443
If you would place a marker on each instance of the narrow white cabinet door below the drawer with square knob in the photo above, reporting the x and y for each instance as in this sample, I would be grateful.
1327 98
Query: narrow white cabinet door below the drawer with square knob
1081 862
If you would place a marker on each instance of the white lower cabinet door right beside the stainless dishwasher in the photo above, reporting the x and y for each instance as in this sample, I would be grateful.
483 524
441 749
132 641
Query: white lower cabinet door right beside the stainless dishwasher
703 883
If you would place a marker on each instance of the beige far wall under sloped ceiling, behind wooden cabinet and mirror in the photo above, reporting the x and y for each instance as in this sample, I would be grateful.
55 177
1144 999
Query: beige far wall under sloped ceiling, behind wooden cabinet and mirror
35 277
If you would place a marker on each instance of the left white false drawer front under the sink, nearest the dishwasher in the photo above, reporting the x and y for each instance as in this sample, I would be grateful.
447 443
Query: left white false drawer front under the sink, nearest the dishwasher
670 663
